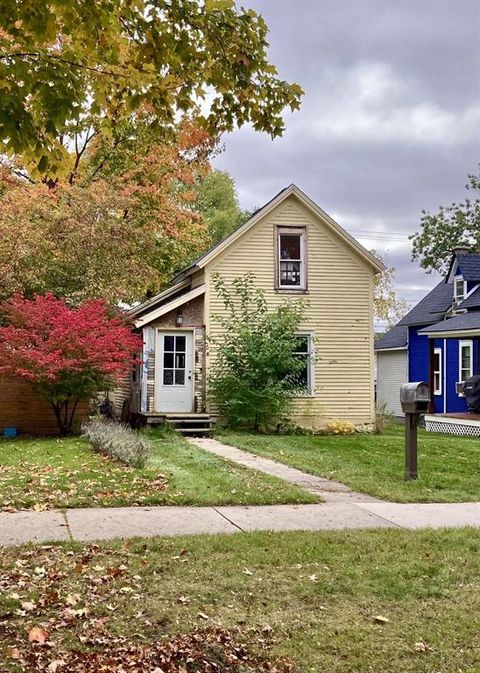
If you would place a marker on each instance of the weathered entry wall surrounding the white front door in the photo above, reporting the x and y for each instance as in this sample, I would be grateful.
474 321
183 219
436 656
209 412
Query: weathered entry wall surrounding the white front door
192 318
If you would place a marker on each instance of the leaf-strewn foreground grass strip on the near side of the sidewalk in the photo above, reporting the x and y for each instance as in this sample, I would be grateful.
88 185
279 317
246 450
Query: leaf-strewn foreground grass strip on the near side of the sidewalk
350 602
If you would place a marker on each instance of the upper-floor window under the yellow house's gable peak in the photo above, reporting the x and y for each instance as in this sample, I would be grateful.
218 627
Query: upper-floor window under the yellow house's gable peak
291 258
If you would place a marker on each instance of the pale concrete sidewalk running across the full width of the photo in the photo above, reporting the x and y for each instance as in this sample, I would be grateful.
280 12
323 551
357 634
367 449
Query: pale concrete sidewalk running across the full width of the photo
126 522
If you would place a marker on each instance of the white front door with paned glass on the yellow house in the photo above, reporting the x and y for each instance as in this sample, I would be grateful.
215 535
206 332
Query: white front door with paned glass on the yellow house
173 371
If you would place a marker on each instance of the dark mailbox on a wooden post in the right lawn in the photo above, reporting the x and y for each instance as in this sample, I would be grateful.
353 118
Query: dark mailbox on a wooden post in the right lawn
414 398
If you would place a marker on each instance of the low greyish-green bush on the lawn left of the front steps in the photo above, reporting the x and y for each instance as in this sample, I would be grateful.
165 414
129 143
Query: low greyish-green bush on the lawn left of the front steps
118 442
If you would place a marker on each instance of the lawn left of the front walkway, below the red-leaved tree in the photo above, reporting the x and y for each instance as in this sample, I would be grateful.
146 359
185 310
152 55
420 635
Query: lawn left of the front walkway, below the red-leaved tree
60 473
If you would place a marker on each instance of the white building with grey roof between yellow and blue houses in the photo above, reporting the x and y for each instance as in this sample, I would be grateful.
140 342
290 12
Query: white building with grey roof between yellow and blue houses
392 368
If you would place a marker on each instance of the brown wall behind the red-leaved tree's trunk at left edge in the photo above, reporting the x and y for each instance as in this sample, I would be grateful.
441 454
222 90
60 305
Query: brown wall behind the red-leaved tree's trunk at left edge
21 408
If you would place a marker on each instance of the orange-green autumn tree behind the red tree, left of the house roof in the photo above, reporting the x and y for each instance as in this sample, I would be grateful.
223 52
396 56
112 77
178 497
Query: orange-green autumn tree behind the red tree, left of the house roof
118 228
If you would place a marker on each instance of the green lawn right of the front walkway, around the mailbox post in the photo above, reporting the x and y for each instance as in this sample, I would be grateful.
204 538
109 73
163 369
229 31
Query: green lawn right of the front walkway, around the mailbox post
449 467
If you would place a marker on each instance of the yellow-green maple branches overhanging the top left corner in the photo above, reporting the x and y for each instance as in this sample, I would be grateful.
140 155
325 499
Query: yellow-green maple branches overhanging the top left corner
67 66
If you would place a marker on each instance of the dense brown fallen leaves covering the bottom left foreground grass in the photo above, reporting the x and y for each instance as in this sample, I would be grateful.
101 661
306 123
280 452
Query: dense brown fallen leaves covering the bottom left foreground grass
65 611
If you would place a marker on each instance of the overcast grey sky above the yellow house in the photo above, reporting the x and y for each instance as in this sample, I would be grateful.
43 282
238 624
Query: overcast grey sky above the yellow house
389 122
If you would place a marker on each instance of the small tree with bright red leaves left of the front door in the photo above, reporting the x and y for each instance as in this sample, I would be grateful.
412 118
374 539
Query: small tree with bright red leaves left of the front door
66 354
